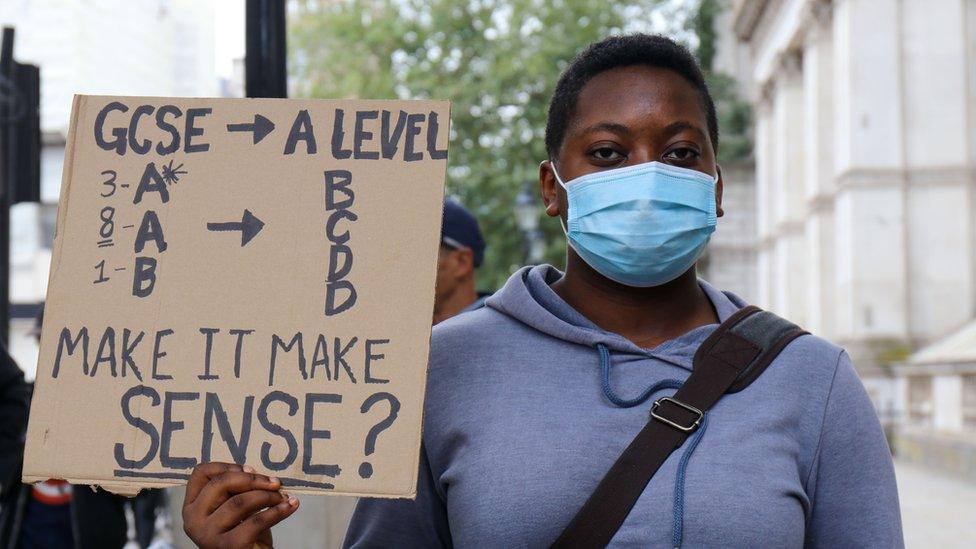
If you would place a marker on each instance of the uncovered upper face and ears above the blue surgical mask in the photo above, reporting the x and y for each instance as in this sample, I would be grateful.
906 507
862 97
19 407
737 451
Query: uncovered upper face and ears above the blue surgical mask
628 116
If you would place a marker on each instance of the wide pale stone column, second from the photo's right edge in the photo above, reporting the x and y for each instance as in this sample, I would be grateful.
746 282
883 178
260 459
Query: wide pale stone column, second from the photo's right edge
871 288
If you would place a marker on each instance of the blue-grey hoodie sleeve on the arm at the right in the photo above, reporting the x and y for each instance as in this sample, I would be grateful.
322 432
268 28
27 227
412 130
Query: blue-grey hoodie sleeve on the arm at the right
852 482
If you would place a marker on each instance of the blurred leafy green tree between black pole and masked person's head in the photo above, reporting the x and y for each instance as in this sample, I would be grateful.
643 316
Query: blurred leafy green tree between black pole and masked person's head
496 60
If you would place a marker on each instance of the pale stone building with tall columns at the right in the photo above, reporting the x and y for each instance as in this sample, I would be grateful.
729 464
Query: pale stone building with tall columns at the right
865 153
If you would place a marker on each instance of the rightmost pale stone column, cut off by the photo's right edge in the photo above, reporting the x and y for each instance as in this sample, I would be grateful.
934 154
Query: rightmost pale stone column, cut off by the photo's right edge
938 167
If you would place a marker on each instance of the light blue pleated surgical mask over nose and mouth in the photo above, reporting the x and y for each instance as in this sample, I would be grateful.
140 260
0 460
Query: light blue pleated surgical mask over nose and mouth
640 225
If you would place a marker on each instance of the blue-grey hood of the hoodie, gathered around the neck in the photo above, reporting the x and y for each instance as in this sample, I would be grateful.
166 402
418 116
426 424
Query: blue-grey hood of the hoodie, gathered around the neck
528 298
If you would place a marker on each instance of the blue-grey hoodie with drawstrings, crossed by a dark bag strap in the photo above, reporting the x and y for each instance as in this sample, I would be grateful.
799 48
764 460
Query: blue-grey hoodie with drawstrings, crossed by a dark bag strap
518 431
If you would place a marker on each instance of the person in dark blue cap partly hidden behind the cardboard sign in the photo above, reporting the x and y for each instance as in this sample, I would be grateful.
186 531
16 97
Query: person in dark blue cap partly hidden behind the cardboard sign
461 253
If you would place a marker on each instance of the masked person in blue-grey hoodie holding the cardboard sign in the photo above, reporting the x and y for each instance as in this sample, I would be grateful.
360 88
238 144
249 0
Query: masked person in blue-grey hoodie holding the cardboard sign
519 428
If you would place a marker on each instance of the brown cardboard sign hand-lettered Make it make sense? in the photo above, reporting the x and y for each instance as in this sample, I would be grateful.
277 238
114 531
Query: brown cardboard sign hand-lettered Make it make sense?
244 280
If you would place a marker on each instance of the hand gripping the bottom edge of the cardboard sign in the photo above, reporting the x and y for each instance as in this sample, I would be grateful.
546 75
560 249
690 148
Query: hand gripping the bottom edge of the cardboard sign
229 506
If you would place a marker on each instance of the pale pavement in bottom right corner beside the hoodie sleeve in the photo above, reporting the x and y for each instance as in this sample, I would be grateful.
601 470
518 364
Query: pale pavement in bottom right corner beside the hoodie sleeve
936 510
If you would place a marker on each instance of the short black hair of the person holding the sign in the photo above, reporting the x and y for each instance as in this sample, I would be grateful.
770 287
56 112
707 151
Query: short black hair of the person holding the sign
622 51
